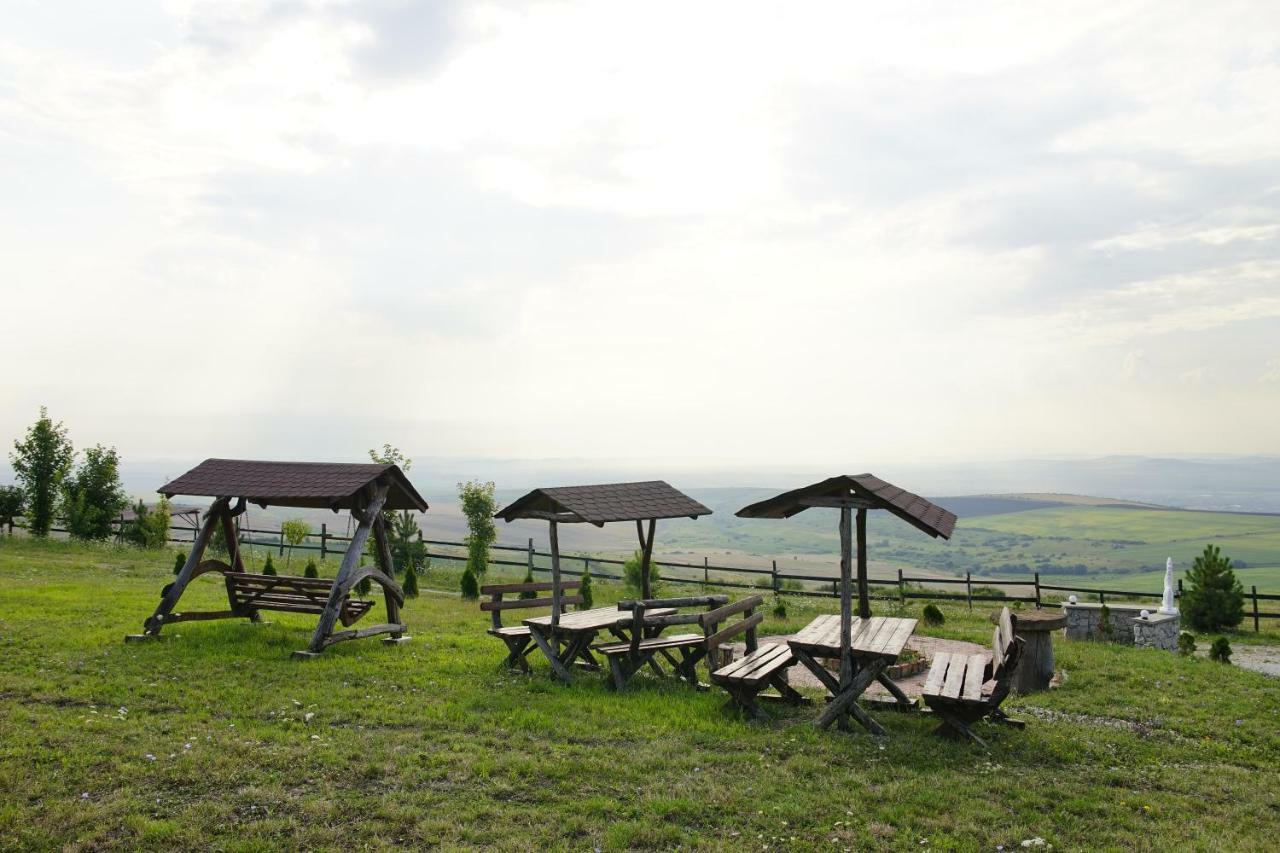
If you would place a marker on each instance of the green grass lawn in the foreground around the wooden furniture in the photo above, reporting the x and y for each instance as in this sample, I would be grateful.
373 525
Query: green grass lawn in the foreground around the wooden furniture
216 738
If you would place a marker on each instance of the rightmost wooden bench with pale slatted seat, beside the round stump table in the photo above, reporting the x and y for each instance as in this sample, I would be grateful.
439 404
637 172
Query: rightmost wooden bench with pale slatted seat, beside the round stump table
966 688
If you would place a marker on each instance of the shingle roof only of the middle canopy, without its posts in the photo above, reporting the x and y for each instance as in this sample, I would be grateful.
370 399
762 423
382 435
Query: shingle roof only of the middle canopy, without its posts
607 503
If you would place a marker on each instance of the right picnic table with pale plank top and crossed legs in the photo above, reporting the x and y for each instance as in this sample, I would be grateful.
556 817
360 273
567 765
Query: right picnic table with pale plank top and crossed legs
875 645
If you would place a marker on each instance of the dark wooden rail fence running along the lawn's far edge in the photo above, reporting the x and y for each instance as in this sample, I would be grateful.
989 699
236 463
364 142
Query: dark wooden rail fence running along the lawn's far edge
781 583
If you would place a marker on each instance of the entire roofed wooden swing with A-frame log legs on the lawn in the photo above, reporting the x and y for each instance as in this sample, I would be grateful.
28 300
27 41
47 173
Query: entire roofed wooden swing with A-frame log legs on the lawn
364 490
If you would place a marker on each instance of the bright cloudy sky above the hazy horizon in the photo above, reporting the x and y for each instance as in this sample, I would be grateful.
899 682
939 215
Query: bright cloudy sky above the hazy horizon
697 234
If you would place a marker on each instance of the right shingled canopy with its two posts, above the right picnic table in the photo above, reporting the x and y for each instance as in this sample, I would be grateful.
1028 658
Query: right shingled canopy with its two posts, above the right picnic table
854 494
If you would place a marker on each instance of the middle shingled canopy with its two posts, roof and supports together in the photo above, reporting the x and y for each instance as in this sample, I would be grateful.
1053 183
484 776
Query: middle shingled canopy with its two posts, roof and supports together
600 505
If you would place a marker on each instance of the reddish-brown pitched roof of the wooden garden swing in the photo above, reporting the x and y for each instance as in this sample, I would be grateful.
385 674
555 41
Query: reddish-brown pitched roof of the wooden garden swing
328 486
